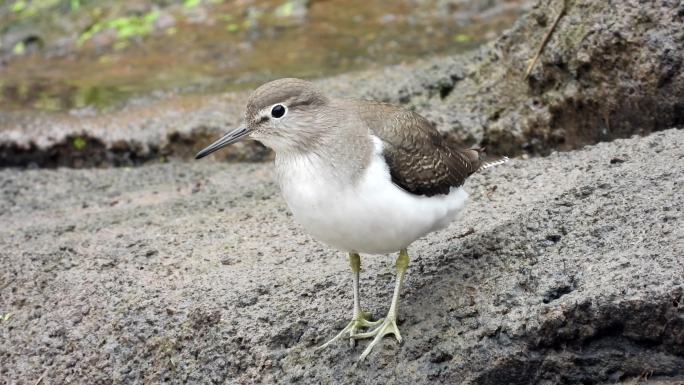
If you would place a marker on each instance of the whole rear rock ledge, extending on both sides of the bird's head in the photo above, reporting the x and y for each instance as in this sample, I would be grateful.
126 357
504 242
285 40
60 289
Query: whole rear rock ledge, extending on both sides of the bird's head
611 69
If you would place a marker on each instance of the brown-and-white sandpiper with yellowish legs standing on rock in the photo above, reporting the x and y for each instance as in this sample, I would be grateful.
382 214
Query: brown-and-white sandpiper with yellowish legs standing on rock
364 177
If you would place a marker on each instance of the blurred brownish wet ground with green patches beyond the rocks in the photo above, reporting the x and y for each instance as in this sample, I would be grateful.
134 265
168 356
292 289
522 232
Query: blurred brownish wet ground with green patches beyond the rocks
92 56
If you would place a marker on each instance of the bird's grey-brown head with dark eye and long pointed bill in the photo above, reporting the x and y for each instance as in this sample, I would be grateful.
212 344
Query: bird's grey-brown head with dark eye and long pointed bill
282 114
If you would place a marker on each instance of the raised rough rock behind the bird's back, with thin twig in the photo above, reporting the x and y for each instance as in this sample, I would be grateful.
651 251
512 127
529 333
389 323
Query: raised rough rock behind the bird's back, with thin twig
610 69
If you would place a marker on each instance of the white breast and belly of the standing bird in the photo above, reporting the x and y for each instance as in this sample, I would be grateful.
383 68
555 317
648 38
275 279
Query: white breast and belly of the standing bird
371 216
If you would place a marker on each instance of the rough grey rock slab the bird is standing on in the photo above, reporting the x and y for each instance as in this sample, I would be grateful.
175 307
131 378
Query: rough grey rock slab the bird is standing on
195 273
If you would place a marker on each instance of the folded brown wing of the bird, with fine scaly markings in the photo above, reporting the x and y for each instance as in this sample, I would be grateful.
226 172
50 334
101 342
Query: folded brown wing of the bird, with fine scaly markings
419 159
